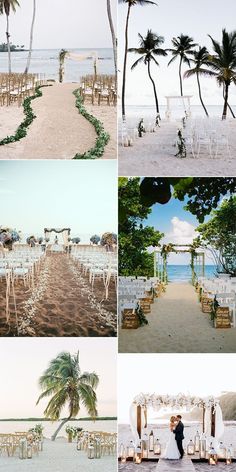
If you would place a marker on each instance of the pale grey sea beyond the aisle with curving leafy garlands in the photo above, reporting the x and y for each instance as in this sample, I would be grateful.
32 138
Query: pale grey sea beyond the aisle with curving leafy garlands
45 61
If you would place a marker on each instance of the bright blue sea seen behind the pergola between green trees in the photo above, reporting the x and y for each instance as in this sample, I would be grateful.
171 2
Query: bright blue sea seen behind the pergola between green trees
183 273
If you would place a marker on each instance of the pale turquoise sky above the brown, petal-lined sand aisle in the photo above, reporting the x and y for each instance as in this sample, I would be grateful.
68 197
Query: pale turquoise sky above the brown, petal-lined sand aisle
39 194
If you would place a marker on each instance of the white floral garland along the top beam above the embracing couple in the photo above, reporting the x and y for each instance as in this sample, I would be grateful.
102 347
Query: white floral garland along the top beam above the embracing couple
179 401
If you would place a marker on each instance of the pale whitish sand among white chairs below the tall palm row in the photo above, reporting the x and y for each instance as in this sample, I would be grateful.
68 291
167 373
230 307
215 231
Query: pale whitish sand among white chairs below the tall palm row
154 155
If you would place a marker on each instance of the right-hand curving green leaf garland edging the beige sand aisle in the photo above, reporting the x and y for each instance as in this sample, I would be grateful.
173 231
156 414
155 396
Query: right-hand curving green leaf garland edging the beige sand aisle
103 137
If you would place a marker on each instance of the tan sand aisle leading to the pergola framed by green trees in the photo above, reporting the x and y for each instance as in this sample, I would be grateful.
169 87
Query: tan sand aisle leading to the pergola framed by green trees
177 324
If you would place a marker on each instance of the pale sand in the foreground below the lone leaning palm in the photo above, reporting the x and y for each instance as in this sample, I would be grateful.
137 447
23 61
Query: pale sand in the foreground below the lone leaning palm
58 456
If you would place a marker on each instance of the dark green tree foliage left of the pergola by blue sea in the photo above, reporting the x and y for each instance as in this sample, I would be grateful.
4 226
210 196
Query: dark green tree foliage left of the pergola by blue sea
134 238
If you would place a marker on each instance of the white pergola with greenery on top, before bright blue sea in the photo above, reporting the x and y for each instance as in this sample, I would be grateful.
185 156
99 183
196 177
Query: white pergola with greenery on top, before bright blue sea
161 260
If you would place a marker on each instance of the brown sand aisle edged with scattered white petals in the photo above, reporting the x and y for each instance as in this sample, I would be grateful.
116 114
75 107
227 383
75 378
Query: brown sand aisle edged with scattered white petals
63 302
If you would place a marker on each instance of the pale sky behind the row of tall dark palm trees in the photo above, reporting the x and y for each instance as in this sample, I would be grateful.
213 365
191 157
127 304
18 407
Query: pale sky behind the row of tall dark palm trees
171 18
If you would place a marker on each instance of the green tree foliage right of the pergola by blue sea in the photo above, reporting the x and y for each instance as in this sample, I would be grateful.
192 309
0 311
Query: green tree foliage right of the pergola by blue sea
219 235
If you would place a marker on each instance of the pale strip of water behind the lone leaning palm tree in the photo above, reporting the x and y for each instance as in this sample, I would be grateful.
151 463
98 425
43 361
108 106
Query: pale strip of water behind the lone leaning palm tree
110 426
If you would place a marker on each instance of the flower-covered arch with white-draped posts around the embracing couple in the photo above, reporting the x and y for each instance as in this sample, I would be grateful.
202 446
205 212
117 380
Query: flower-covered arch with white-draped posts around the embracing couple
148 401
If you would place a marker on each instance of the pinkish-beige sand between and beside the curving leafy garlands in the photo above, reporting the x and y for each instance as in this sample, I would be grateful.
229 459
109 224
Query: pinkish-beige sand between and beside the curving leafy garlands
58 132
